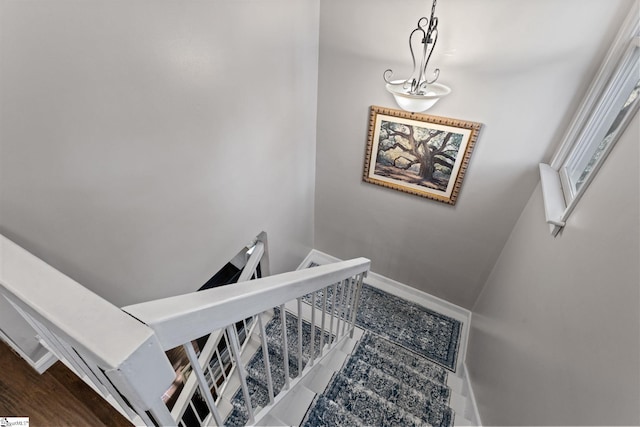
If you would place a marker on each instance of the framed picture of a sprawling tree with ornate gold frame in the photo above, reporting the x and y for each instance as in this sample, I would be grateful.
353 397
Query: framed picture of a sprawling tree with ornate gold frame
417 153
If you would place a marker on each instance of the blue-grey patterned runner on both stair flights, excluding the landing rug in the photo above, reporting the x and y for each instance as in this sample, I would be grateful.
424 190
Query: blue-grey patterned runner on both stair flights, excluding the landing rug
381 383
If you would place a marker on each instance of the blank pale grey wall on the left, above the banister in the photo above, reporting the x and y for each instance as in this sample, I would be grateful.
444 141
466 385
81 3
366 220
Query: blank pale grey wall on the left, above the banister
145 142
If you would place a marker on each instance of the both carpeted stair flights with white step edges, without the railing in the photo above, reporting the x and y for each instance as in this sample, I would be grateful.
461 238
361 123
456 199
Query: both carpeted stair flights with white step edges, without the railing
367 380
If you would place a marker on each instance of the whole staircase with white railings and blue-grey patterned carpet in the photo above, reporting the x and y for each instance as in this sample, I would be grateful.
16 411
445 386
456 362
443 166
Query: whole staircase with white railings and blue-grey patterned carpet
276 350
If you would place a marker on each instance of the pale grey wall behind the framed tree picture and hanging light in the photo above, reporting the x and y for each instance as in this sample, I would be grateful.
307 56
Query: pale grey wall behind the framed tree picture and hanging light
518 67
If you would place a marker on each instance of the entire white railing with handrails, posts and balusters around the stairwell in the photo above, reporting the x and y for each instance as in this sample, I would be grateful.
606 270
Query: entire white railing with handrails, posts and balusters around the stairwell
121 351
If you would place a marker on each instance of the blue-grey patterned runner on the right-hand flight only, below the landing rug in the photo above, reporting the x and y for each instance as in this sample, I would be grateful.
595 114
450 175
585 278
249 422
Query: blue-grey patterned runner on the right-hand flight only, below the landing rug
384 392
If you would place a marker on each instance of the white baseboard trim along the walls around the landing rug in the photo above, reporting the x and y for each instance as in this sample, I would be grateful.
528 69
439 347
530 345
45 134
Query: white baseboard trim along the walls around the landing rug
412 294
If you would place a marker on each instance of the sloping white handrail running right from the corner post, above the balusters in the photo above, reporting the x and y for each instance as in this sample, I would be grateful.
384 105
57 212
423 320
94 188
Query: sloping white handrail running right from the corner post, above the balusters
182 318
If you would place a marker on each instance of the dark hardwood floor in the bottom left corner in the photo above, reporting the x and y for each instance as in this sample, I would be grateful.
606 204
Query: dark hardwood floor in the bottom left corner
56 398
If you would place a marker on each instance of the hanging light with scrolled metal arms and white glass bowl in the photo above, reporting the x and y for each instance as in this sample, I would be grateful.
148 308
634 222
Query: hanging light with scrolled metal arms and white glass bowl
417 93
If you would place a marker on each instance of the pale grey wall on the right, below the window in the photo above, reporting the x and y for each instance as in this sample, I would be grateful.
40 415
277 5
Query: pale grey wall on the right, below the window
555 336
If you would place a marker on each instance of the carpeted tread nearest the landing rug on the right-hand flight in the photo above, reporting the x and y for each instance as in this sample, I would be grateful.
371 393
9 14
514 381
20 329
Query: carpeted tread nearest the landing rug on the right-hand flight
405 366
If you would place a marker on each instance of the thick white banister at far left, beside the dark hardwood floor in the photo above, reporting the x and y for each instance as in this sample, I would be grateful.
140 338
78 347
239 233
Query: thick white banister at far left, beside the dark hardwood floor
73 320
